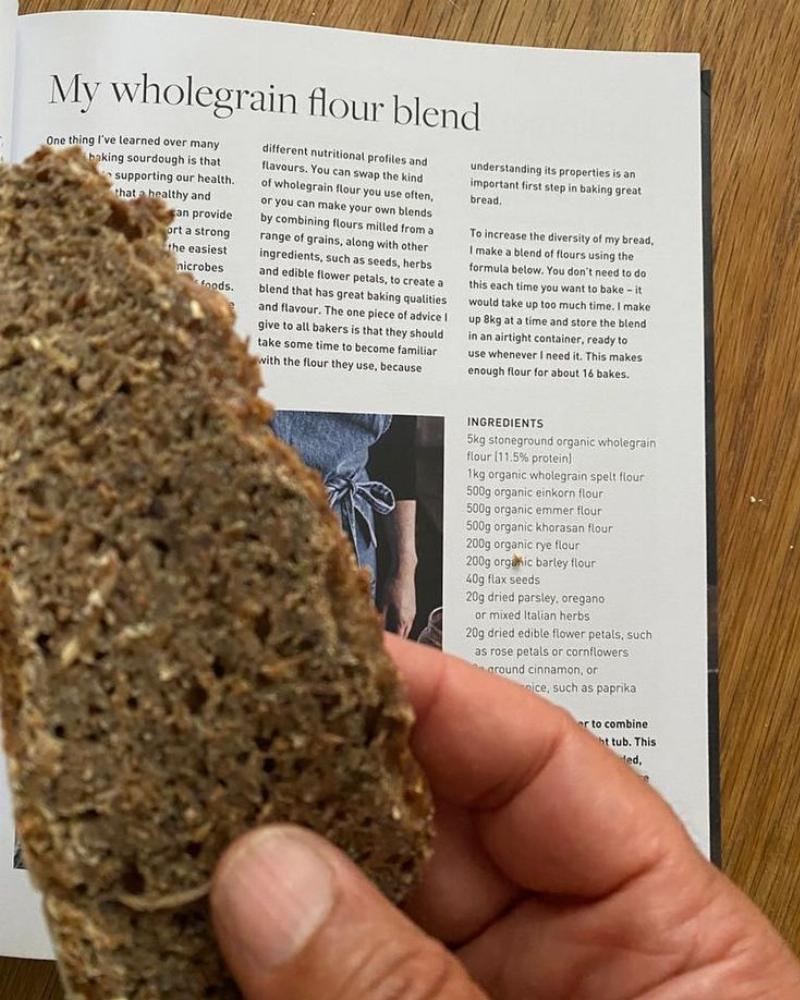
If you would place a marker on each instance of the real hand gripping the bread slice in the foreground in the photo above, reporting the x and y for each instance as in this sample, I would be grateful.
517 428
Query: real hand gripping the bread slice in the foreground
557 873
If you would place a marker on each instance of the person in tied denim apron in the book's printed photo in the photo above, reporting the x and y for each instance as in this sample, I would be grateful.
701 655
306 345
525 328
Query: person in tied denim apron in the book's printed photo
368 465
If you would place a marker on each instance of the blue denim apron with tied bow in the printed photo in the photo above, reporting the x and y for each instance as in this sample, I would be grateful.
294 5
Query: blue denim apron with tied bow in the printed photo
337 446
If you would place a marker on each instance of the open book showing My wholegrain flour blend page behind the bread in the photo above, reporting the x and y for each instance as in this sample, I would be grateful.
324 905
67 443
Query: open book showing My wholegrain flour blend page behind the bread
475 278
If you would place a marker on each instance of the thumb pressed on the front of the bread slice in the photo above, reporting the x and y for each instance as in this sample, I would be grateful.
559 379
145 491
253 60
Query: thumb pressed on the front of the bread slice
296 919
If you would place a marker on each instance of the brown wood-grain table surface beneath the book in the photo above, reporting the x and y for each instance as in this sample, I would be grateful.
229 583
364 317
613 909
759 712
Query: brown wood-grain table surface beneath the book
753 48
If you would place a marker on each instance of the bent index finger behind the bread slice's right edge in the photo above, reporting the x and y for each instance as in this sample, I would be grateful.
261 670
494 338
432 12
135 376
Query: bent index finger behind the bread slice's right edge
555 809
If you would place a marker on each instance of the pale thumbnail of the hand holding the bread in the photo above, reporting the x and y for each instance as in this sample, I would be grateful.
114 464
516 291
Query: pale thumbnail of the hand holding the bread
272 893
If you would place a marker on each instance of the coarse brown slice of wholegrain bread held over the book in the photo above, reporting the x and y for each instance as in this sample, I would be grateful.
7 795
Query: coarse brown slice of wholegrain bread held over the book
186 647
